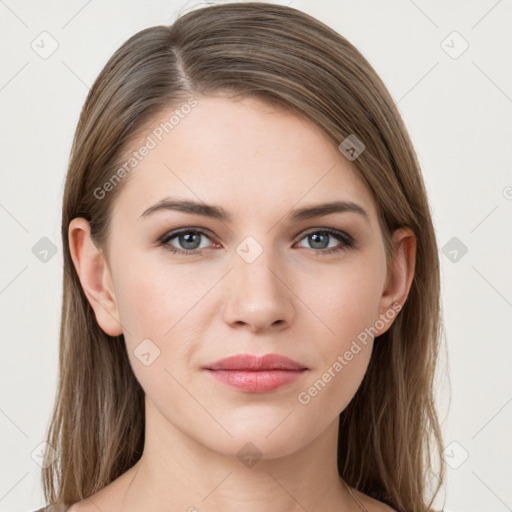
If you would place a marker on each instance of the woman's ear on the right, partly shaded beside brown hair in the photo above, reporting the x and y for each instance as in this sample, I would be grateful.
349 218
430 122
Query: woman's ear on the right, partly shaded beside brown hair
400 277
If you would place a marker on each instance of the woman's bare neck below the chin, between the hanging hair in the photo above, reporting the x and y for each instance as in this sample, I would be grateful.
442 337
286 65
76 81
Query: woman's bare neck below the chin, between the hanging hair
177 473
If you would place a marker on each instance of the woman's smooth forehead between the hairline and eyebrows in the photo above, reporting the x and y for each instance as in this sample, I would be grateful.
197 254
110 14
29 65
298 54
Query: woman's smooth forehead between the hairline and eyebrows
244 154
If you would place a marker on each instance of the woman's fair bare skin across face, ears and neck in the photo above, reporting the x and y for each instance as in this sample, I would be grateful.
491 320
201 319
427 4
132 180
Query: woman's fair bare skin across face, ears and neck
258 163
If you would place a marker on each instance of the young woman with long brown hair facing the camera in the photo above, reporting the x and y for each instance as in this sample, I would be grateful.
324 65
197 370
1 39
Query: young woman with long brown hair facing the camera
251 290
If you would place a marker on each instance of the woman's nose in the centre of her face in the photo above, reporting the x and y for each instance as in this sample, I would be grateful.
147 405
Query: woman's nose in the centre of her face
258 295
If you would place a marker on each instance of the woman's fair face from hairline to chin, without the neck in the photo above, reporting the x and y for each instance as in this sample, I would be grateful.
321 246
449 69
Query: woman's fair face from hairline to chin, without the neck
253 273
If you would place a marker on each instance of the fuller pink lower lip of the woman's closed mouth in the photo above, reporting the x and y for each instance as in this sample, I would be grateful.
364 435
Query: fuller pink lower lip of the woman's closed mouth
257 381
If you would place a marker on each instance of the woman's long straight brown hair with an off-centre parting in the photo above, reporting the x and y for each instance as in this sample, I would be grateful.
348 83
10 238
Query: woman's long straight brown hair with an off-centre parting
390 432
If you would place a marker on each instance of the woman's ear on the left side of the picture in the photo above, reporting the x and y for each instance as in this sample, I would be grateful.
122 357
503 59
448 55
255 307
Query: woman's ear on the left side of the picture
94 274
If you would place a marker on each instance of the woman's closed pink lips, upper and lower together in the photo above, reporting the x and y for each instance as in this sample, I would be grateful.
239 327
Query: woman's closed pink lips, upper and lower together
254 374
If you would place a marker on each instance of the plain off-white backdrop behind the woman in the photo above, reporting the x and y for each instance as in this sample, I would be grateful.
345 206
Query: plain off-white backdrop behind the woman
448 67
